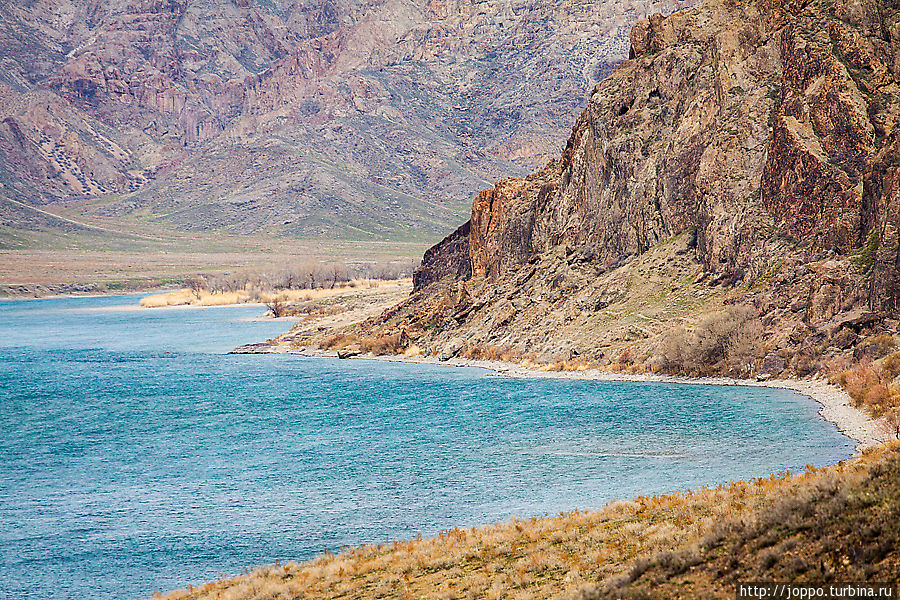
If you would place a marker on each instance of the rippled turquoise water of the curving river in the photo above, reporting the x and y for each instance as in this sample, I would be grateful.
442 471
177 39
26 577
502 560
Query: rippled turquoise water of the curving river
136 456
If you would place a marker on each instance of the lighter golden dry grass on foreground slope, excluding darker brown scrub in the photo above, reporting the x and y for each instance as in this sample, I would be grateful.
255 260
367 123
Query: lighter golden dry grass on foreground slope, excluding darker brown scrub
546 557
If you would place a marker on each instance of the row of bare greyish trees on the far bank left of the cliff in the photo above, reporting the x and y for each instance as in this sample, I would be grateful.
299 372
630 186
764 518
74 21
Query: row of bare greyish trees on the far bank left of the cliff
303 276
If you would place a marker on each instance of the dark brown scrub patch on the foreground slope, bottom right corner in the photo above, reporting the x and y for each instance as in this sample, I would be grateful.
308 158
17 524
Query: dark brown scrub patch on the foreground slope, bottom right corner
838 525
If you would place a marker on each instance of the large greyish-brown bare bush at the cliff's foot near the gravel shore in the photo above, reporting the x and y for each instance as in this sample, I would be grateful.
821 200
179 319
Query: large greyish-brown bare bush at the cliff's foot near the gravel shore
729 341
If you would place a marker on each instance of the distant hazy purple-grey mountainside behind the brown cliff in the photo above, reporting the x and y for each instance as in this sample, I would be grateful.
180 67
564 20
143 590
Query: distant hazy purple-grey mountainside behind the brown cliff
325 119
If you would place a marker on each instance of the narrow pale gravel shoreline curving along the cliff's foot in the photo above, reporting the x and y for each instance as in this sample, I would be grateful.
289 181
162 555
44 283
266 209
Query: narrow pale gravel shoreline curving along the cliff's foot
835 405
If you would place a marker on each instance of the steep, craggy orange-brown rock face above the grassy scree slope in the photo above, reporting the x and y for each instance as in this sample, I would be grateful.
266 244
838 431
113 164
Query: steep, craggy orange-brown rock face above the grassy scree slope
746 123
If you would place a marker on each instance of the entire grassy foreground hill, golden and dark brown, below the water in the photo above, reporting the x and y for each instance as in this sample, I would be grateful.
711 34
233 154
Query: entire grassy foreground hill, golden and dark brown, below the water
839 523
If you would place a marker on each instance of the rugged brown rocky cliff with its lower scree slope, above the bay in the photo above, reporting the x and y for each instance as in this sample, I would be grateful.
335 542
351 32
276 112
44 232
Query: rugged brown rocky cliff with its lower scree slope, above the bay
747 154
